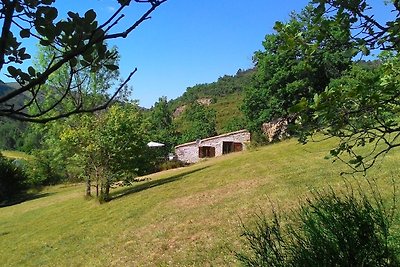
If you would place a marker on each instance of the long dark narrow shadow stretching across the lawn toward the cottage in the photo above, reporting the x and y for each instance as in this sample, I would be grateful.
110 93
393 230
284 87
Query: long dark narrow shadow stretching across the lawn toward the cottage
151 184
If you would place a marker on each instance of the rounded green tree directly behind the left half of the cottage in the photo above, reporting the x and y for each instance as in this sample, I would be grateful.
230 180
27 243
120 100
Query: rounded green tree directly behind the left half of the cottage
198 122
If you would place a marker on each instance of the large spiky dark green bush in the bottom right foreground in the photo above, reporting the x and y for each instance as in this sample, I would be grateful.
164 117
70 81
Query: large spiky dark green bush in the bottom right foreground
328 230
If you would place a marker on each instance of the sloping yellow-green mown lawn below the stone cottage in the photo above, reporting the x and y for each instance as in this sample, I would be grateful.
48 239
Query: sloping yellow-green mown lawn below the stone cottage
184 217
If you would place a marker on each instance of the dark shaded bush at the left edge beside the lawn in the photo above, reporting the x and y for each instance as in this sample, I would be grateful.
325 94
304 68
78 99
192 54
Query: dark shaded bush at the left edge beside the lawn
12 180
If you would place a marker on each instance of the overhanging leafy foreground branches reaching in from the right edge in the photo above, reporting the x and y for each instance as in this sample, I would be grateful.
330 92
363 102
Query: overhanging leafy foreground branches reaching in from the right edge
362 107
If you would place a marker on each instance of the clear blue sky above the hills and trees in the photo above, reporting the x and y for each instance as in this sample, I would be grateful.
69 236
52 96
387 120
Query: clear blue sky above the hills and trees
188 42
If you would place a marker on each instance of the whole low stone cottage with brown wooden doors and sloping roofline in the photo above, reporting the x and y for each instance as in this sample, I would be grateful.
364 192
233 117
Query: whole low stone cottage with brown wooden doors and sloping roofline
213 146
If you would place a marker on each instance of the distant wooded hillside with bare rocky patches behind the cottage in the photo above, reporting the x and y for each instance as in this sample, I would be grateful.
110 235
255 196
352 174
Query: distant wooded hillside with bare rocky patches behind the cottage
225 96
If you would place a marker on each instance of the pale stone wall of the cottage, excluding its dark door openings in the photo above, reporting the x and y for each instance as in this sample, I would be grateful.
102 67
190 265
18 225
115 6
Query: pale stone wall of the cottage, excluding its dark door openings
190 152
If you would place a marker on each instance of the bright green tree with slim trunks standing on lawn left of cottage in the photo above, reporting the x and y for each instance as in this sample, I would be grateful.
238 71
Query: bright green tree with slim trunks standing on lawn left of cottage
109 146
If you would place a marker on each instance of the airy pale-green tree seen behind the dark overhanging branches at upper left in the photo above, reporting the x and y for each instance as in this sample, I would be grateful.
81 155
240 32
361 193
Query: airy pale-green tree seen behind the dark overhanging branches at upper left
91 87
